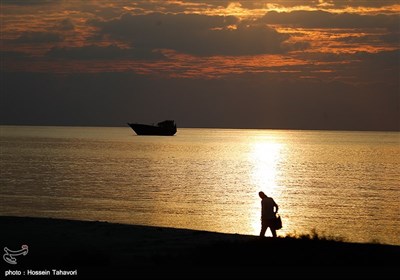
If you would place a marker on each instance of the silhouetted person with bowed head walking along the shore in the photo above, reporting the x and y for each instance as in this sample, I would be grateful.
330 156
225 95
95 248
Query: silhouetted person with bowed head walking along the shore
269 208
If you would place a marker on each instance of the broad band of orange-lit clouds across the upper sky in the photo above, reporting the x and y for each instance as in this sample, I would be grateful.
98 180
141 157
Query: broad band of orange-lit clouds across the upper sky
207 39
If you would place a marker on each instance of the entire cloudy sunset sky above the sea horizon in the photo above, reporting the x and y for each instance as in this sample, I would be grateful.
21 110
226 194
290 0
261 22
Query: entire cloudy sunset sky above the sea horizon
279 64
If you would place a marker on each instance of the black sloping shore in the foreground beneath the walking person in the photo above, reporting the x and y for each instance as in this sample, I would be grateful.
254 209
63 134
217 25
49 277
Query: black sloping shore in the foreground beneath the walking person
113 251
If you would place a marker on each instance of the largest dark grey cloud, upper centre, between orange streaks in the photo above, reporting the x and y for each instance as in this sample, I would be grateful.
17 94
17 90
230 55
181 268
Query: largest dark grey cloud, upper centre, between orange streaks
194 34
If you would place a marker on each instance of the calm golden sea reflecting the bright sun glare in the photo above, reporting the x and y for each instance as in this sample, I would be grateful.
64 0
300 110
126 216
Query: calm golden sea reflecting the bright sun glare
342 184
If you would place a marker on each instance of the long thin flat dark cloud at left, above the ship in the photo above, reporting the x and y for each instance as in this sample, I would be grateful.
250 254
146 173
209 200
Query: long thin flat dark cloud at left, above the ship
103 53
